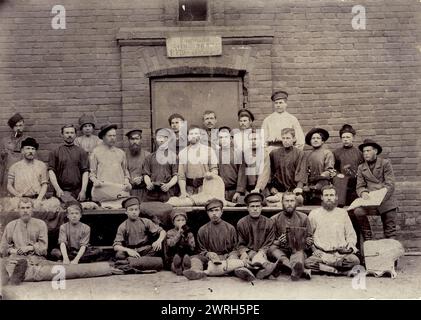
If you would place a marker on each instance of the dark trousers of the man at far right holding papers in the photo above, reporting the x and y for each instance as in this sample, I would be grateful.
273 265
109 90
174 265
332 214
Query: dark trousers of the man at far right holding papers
388 220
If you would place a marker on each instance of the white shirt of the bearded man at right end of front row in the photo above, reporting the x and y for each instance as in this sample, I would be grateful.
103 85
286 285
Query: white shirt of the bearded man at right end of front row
332 229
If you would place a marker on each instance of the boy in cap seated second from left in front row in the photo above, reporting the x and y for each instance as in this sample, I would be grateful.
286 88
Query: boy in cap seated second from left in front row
74 238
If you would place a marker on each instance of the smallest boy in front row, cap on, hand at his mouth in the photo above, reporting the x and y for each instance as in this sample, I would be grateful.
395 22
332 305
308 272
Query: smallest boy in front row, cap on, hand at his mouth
180 242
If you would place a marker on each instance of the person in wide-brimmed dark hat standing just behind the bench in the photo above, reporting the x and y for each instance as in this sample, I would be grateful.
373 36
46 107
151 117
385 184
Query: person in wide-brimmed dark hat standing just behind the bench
320 164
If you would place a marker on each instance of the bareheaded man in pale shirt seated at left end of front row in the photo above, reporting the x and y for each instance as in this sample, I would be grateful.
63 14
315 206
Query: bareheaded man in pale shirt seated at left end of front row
24 241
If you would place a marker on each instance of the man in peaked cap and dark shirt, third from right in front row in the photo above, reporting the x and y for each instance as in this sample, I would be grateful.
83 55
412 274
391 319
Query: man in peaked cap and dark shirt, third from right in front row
255 235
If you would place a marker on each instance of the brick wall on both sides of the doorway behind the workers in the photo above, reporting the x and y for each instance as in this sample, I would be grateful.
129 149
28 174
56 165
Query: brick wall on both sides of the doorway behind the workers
334 74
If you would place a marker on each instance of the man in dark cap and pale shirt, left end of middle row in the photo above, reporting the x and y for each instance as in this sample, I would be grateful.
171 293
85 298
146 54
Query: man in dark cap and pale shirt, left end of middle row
28 177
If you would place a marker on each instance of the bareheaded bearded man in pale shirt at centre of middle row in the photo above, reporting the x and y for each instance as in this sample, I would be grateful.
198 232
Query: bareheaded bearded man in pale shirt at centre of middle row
196 162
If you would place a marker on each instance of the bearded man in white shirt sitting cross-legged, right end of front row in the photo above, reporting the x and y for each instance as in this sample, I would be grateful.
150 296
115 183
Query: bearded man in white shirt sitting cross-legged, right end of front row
334 237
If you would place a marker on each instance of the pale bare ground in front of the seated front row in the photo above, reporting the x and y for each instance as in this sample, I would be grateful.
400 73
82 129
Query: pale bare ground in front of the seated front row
165 285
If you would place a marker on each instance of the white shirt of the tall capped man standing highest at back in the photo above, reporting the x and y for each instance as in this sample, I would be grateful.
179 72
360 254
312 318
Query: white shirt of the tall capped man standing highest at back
276 122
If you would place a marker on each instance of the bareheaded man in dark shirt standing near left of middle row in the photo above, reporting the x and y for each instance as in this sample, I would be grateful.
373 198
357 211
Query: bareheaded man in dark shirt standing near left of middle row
68 168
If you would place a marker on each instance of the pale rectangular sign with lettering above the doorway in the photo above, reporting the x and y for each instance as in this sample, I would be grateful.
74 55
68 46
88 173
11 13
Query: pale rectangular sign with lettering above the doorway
194 46
